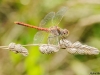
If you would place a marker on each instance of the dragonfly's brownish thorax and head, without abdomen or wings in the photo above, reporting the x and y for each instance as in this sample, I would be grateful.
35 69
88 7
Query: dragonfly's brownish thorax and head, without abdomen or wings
56 31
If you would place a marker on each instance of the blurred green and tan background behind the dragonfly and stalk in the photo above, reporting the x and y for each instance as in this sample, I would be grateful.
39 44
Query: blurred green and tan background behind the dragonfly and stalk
82 19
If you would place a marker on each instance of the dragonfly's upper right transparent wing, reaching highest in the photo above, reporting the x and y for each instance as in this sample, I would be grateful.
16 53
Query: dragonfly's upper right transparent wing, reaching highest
59 15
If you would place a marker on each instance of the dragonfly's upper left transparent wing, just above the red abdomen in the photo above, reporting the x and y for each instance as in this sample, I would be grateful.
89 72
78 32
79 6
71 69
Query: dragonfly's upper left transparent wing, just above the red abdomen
47 19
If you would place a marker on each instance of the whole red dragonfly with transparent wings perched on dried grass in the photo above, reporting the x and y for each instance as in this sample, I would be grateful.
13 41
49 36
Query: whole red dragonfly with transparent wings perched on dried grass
56 33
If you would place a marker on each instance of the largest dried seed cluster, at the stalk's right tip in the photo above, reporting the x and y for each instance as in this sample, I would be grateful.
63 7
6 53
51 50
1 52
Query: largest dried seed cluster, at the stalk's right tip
78 48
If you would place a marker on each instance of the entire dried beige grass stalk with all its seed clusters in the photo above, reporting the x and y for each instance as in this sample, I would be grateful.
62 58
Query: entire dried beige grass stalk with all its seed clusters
73 48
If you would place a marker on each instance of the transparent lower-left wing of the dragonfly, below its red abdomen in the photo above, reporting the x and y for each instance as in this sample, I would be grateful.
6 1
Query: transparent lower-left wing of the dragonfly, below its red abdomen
40 37
